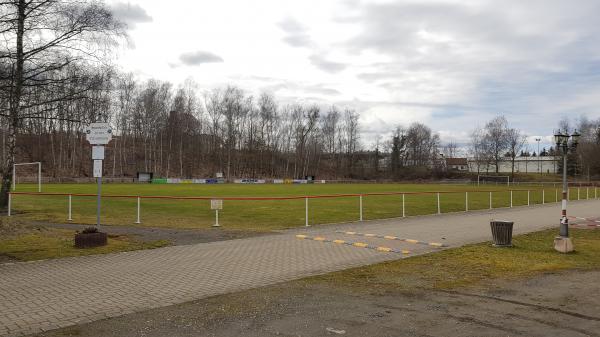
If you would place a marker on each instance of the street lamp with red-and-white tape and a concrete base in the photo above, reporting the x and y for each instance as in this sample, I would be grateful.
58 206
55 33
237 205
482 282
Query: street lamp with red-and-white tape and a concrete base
563 243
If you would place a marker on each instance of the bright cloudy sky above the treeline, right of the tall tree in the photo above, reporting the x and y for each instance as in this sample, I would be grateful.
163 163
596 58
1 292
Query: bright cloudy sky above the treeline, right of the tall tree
452 65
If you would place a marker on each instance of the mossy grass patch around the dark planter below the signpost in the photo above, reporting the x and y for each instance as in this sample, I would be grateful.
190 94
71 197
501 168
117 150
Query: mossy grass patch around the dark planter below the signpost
40 243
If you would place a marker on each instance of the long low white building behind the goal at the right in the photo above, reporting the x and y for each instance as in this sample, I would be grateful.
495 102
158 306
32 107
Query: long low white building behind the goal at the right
548 164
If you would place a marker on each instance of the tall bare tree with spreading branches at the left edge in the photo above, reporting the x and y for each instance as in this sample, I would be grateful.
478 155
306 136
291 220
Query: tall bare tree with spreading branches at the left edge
40 39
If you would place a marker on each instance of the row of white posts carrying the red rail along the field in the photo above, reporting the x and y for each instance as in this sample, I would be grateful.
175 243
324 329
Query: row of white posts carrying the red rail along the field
439 209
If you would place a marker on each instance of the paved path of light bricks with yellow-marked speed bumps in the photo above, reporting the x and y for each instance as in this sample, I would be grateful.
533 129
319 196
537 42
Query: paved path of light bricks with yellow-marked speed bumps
44 295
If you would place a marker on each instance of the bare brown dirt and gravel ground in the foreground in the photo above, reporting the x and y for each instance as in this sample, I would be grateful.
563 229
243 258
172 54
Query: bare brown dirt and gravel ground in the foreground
547 305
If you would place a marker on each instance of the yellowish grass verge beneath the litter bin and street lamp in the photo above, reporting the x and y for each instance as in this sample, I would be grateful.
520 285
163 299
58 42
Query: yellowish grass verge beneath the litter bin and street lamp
471 265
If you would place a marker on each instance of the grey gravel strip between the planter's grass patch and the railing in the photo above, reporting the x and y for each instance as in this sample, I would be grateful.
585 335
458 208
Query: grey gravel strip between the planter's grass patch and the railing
175 236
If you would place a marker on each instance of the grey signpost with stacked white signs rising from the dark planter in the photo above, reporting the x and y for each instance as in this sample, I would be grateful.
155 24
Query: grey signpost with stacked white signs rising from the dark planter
98 135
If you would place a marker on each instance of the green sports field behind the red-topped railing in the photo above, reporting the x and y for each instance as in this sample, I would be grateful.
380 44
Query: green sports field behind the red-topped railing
265 214
